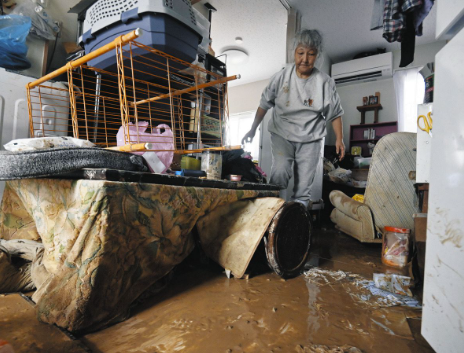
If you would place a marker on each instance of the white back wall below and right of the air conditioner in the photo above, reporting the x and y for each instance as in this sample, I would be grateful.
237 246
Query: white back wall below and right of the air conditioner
351 95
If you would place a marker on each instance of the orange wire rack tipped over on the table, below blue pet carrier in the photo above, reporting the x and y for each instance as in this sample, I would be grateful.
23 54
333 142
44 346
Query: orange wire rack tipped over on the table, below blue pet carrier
149 90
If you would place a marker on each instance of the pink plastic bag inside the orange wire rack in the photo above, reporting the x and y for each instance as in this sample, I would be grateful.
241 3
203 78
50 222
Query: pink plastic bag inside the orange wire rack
161 140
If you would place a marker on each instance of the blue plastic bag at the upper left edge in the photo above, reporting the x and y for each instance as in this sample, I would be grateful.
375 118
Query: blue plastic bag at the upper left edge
13 50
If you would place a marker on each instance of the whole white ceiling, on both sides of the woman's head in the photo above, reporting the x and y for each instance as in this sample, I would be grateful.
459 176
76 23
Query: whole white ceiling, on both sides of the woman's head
345 26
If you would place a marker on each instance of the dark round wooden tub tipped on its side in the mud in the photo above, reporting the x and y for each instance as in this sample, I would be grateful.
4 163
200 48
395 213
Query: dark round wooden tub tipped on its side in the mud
288 239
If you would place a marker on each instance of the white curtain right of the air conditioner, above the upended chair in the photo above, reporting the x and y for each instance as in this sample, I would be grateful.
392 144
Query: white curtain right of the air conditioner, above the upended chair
410 89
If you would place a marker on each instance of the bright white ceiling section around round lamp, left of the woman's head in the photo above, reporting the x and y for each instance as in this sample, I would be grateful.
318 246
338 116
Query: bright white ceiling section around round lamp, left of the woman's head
262 26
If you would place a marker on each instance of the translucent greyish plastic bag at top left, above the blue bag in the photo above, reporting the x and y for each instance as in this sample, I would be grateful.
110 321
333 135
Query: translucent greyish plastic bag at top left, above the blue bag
42 24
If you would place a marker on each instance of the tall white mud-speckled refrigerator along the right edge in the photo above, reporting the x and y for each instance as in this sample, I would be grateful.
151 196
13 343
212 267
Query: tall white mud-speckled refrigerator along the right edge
443 312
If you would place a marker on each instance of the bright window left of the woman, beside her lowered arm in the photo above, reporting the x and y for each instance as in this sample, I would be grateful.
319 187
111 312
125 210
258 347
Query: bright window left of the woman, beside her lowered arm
239 125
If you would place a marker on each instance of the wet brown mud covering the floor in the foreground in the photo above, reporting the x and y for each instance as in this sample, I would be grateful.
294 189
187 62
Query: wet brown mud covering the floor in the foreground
201 310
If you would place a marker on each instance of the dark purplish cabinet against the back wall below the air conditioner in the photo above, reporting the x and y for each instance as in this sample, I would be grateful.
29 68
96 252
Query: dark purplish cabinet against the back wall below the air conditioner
357 134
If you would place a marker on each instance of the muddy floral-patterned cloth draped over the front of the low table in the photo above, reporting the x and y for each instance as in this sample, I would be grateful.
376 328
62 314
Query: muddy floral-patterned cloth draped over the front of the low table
105 243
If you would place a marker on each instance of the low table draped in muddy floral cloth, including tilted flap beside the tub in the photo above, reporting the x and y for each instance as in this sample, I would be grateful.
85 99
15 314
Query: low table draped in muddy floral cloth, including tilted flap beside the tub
110 235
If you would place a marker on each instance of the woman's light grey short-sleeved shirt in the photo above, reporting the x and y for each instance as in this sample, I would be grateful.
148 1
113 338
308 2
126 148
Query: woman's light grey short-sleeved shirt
302 107
